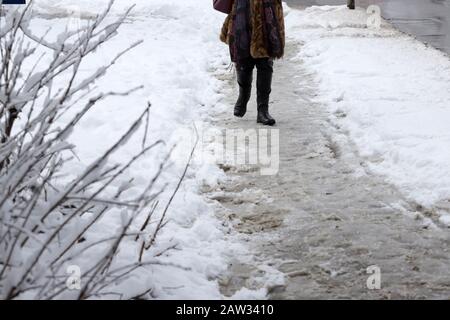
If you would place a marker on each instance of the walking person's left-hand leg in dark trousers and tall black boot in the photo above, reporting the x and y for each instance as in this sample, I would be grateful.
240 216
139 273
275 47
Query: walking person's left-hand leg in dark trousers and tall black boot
244 70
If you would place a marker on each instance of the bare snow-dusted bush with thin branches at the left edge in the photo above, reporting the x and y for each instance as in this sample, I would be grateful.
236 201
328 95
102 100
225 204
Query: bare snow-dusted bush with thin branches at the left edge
44 224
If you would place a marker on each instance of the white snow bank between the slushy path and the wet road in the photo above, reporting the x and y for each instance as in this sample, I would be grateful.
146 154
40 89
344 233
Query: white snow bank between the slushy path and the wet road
387 91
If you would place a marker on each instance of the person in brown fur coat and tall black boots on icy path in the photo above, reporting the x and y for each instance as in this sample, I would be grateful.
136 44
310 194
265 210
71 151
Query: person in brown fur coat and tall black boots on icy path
255 34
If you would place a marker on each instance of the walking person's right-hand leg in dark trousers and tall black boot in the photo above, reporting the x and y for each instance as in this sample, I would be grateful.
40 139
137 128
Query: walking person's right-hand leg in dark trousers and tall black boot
264 88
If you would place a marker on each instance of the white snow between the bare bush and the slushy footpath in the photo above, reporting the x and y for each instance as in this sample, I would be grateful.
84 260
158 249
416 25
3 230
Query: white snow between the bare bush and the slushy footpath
174 63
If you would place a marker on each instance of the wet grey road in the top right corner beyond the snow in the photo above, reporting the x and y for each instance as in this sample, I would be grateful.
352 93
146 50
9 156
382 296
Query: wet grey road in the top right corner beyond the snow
428 20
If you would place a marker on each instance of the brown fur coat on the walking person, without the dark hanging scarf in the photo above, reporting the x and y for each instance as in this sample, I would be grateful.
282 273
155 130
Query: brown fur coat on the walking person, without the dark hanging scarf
257 46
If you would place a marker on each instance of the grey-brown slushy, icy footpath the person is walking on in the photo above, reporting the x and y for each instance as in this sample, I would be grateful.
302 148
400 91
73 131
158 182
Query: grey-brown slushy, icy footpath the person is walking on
323 220
